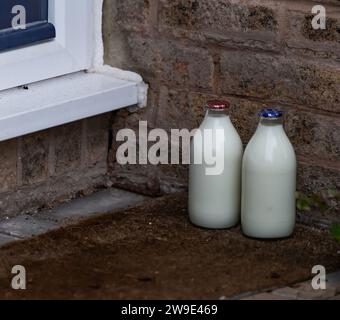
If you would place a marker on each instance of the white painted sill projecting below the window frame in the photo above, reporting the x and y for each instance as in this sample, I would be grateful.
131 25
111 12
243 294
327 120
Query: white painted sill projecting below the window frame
64 99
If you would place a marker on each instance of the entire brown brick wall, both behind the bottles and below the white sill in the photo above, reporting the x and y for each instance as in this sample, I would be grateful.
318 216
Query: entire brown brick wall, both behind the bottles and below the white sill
253 53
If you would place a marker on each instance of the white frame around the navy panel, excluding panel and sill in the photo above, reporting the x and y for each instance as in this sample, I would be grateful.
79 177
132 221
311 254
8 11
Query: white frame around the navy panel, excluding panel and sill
72 50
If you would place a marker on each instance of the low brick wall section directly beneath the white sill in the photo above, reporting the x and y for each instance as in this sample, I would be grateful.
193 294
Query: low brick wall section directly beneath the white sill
52 166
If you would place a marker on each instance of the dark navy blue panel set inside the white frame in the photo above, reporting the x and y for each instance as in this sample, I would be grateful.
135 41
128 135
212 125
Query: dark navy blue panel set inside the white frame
24 22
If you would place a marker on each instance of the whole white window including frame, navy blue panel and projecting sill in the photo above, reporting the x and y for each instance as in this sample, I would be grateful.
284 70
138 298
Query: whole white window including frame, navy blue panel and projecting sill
67 93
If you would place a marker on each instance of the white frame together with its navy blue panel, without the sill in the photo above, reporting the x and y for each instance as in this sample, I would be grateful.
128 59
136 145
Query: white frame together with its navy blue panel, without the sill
71 49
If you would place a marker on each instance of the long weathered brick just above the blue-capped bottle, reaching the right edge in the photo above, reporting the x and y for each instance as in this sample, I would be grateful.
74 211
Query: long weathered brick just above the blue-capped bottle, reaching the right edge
281 80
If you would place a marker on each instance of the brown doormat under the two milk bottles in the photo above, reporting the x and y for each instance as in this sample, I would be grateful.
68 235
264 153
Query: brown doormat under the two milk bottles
152 251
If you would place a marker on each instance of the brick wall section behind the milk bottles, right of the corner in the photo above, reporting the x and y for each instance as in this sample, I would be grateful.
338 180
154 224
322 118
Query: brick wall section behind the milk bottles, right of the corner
254 53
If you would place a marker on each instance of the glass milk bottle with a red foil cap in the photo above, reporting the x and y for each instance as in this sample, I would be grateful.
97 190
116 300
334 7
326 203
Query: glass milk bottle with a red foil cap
214 189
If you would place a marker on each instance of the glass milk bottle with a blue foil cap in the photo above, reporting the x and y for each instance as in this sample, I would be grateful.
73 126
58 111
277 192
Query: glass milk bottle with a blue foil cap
269 180
